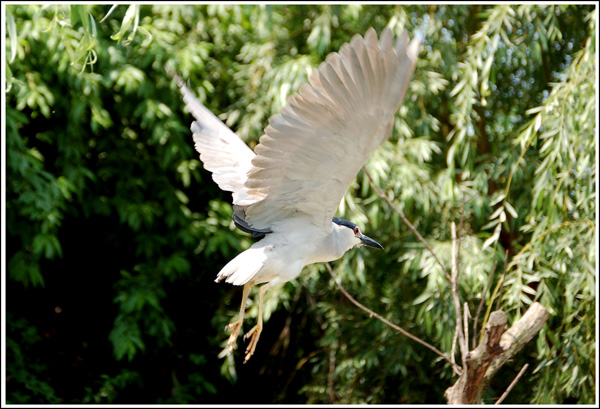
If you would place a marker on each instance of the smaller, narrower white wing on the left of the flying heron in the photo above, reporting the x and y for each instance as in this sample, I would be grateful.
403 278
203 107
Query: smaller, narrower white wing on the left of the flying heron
222 152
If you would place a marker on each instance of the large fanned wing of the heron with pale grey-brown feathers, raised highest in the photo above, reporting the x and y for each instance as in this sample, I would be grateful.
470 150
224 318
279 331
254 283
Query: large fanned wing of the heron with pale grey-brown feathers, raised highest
312 150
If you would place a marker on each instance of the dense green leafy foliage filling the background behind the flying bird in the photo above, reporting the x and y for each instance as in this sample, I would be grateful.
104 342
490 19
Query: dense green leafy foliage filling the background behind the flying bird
115 232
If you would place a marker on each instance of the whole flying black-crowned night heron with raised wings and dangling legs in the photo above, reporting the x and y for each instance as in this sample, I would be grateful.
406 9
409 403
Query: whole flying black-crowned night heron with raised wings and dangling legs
289 188
